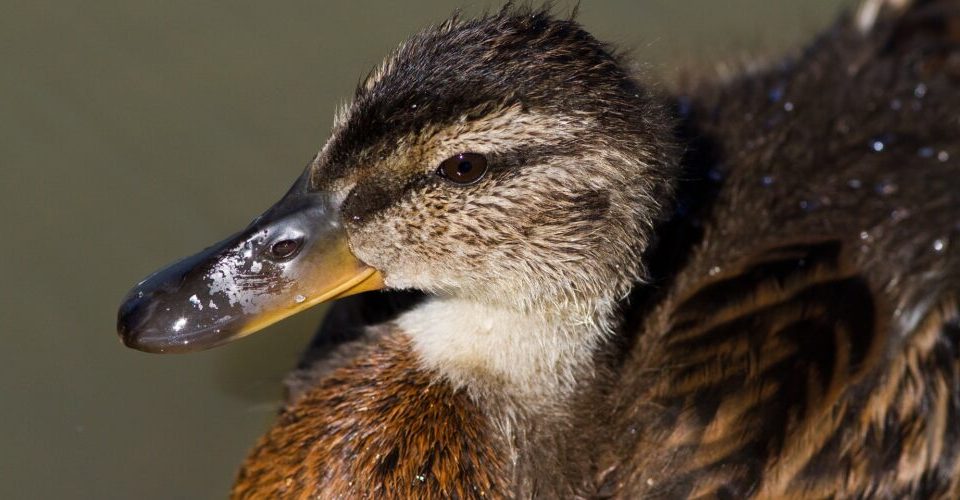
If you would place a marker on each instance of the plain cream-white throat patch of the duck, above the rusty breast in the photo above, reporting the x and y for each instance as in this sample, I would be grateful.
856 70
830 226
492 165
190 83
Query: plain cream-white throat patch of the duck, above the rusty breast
521 360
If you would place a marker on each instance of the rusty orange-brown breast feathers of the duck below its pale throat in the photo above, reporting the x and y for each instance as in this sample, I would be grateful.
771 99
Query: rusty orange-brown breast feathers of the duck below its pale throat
377 428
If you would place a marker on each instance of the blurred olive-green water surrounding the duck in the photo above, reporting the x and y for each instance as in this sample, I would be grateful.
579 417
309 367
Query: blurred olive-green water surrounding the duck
136 132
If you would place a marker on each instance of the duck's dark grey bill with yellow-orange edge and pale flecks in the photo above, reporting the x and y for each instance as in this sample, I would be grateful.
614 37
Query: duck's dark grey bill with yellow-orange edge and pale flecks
292 257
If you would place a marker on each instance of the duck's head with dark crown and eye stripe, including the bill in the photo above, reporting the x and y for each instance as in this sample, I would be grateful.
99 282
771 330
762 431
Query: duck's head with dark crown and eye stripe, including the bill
508 160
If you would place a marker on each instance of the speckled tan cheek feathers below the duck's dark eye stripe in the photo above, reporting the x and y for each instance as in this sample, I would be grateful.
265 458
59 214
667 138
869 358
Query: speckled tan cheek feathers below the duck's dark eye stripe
543 237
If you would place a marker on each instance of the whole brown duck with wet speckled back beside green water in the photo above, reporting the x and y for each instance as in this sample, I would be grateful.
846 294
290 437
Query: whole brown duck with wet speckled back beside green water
586 285
